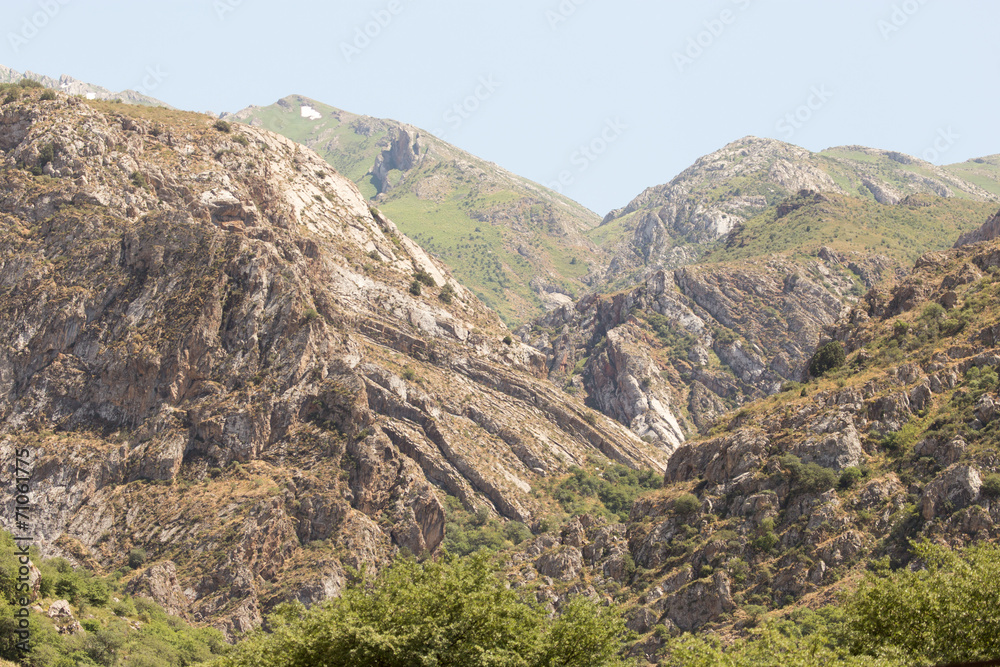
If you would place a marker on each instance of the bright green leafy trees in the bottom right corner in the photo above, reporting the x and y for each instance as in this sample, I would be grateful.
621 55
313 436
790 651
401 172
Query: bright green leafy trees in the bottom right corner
944 611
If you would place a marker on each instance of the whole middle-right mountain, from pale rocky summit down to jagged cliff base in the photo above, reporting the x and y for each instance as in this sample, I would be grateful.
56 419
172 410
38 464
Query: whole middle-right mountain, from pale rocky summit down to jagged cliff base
725 279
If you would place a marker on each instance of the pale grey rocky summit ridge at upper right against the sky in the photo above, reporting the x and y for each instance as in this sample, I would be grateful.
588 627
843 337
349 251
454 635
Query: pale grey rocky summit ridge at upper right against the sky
672 224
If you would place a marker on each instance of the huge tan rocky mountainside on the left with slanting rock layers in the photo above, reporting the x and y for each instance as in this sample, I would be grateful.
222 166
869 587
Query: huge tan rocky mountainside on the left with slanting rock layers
216 351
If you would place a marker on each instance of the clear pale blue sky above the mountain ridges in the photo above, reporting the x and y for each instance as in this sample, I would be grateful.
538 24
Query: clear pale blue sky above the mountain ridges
609 97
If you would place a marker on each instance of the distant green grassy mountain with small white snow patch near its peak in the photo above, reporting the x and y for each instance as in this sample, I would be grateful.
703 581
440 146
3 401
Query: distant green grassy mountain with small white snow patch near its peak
519 246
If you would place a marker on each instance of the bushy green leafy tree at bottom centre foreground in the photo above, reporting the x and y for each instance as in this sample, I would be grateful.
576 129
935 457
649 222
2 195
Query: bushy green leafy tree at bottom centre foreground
453 611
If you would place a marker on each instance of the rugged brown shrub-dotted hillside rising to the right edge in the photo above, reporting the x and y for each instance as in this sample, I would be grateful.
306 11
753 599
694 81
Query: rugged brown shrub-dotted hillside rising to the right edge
791 498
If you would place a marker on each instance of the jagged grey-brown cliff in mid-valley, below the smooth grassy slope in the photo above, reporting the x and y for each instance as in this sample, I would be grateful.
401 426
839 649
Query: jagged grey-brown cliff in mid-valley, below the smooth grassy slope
668 357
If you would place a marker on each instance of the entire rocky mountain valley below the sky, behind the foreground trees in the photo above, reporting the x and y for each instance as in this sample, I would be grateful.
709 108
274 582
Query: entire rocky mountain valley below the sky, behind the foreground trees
257 358
